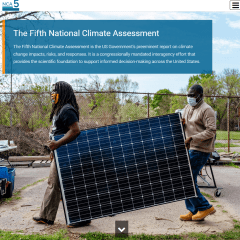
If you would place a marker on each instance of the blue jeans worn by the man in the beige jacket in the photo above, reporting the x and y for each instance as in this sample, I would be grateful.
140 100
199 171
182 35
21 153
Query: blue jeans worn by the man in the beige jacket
198 160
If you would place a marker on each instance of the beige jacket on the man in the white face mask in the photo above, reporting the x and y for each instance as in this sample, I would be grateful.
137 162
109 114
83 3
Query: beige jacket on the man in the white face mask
200 124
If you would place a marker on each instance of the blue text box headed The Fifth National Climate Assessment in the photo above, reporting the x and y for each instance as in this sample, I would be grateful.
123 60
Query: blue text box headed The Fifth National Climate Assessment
108 46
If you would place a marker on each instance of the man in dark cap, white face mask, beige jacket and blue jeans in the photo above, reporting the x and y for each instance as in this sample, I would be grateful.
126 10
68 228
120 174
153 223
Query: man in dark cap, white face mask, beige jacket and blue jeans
200 130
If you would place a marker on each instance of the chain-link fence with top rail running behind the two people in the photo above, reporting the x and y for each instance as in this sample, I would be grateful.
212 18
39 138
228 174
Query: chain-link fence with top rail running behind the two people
24 116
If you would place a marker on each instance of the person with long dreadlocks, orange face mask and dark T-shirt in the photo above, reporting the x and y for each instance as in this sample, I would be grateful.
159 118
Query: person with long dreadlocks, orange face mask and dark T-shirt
65 118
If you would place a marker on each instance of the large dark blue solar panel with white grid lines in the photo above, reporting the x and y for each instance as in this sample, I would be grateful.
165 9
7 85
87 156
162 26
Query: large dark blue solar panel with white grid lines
124 167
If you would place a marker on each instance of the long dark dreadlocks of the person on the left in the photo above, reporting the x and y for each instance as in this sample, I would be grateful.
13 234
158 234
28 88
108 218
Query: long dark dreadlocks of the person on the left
66 95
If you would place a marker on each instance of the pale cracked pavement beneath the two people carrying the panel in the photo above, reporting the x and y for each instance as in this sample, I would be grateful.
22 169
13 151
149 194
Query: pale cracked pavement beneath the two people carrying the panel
18 214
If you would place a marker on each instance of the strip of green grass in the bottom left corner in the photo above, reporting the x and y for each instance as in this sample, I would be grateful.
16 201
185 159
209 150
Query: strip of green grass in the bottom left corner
8 235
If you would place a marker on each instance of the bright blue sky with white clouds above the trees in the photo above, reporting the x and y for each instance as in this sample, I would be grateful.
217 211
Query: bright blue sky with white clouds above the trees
226 45
